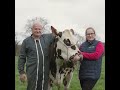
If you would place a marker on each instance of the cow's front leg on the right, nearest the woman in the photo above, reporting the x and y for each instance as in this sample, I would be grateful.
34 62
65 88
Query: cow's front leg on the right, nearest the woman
67 80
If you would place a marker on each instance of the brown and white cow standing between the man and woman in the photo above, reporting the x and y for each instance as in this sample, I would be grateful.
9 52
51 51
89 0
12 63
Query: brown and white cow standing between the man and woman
62 53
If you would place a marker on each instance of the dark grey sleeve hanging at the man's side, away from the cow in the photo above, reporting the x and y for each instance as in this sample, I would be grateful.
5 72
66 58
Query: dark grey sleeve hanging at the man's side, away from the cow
22 58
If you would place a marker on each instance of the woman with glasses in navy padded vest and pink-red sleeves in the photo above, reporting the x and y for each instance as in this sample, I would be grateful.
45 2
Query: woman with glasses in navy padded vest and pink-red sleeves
90 68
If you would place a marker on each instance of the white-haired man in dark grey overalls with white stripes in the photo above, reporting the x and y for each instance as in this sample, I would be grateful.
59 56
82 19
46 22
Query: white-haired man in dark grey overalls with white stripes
35 54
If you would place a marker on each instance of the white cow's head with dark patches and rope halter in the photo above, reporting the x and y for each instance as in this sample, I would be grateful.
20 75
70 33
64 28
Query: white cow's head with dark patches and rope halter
66 47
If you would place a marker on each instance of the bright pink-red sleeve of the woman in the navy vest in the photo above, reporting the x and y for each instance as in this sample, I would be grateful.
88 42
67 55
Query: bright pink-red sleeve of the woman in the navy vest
95 55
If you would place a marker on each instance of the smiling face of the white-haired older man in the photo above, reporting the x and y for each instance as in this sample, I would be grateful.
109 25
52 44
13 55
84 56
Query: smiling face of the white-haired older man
36 30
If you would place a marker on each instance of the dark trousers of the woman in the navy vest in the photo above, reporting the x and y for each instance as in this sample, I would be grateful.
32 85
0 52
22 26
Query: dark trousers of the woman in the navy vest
88 84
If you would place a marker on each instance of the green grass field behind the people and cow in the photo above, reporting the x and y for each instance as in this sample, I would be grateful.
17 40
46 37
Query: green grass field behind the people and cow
75 85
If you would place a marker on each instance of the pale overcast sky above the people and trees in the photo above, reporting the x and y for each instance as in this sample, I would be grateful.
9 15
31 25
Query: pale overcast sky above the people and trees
63 14
